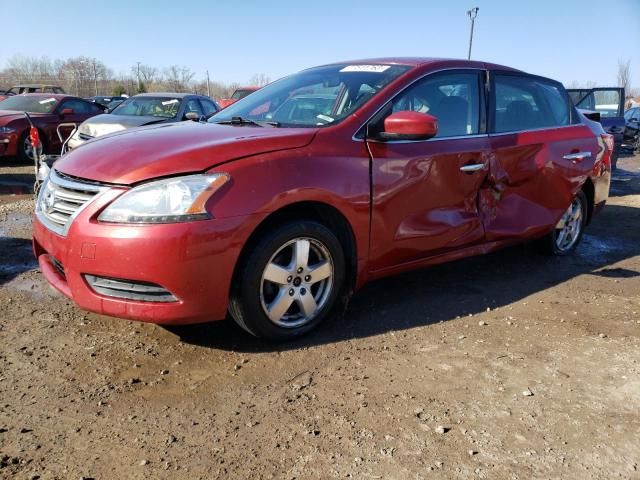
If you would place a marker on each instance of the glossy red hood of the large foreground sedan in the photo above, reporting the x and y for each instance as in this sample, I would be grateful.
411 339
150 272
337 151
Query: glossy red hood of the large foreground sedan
171 149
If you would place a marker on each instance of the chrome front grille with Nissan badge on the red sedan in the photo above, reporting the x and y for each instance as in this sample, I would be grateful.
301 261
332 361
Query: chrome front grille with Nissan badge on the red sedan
61 199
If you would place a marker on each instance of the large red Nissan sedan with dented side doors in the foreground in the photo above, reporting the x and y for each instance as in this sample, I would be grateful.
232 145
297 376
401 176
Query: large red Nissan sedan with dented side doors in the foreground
291 199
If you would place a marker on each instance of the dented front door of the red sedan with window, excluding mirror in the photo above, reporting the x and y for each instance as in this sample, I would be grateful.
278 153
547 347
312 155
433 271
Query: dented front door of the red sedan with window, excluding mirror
425 193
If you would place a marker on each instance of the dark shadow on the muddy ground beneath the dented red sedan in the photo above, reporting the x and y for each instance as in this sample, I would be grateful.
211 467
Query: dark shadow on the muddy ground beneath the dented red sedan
452 290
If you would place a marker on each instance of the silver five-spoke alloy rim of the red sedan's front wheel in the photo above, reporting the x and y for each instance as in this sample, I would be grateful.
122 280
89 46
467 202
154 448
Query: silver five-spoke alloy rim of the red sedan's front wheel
297 282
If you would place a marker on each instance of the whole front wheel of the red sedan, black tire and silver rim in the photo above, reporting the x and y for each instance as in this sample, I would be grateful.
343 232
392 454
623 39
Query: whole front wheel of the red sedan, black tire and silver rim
273 295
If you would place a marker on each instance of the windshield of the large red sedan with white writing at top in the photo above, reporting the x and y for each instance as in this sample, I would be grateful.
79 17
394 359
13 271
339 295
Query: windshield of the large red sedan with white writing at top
315 97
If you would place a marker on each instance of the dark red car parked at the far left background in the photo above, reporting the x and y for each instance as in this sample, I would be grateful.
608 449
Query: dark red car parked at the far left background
47 111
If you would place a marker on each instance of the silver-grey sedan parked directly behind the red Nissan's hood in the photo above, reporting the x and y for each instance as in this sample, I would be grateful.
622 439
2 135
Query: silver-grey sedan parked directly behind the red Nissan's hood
145 109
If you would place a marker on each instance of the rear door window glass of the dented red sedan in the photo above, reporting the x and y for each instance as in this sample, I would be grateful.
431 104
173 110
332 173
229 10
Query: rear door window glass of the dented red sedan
526 103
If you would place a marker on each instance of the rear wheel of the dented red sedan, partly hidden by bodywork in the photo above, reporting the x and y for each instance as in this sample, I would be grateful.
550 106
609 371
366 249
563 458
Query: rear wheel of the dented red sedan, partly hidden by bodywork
552 243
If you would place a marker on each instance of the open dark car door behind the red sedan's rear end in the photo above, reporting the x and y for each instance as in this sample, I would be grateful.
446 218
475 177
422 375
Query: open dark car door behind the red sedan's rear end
609 102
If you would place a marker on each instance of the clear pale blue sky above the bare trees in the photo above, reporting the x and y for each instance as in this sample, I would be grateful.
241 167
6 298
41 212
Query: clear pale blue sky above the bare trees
568 40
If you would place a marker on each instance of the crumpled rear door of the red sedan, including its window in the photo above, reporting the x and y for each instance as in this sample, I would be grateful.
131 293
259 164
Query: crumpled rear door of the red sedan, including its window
542 154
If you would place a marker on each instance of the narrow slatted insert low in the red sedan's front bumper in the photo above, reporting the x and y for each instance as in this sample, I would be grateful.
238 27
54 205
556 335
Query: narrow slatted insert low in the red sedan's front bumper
129 289
